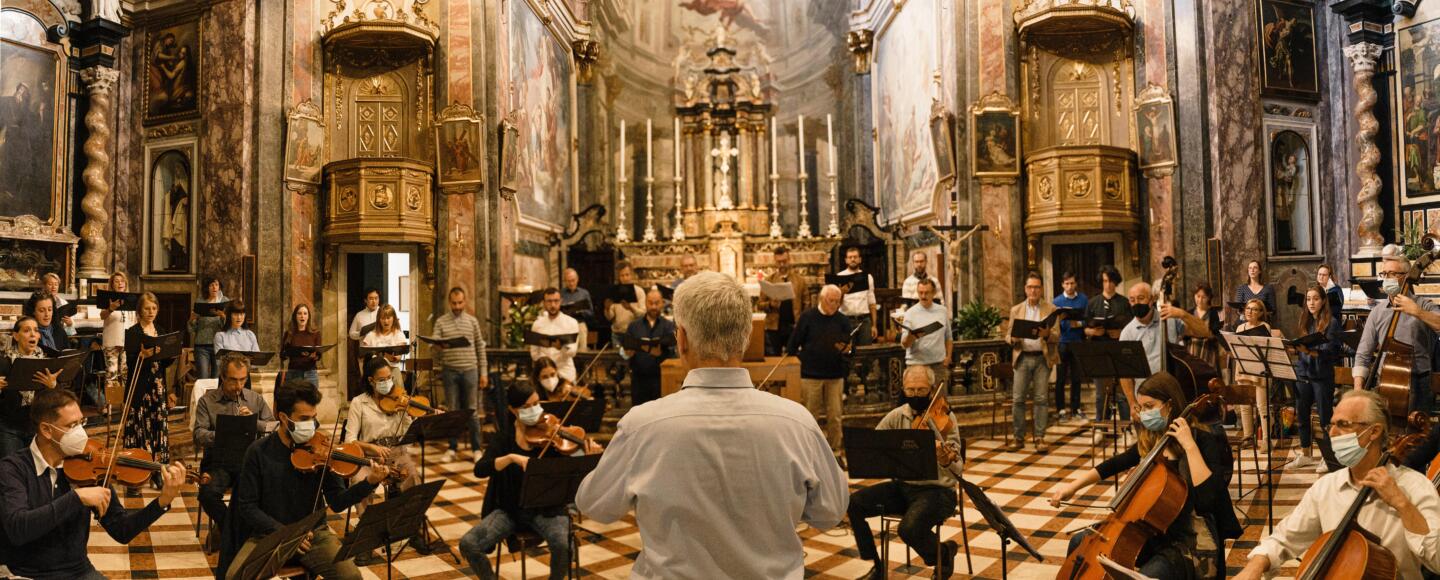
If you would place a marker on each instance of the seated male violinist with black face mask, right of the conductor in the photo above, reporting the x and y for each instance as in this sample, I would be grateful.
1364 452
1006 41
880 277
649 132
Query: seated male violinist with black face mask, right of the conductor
924 504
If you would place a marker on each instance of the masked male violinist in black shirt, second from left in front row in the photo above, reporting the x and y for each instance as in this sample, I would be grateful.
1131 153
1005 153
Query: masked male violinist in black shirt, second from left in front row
273 493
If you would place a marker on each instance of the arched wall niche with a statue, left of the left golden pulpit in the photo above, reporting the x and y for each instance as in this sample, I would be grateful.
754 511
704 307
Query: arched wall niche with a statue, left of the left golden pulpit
171 208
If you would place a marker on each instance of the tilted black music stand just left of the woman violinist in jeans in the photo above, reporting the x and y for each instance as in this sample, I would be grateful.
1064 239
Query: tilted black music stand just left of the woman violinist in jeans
391 522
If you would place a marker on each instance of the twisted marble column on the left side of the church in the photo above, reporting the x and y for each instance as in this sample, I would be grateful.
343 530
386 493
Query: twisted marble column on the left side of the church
96 205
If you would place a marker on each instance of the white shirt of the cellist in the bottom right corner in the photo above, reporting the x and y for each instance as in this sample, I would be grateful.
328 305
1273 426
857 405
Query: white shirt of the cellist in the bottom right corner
1331 497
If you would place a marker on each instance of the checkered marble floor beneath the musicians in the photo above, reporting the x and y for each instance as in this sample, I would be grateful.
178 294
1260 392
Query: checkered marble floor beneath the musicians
1019 483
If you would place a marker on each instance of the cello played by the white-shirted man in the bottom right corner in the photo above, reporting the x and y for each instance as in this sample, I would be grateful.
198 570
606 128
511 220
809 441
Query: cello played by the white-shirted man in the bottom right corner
1351 552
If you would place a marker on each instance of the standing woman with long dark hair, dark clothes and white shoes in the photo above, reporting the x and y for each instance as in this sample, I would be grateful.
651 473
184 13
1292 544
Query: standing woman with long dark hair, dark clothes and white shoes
1315 372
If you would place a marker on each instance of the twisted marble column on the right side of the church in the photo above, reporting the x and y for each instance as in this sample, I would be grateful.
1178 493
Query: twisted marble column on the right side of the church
1363 58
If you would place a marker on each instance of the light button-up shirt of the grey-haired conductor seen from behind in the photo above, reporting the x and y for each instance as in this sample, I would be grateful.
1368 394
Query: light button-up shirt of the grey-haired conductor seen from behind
754 466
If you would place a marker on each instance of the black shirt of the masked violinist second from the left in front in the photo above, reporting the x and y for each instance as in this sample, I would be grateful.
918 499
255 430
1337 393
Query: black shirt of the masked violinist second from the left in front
270 494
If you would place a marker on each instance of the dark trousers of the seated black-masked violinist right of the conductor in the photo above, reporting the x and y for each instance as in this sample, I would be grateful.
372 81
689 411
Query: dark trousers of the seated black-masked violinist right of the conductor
921 509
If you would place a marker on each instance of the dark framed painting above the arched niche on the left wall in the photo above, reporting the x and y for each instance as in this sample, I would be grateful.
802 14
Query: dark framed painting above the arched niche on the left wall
172 73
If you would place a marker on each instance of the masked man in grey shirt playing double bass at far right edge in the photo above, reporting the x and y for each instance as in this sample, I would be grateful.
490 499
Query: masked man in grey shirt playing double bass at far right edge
1418 329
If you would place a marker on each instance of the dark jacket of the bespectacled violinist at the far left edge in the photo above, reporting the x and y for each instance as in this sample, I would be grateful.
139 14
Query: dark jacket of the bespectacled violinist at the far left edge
45 529
